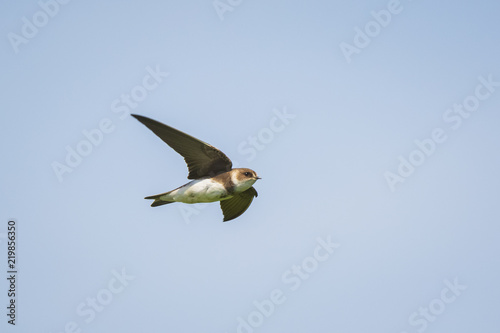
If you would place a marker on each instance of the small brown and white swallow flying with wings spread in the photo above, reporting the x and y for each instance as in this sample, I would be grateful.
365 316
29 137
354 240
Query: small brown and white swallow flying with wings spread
211 171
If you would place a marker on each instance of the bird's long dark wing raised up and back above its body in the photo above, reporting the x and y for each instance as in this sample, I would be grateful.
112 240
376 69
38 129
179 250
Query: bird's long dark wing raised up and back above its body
202 159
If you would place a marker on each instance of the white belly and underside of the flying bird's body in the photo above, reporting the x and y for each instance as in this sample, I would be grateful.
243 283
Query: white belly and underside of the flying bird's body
200 190
